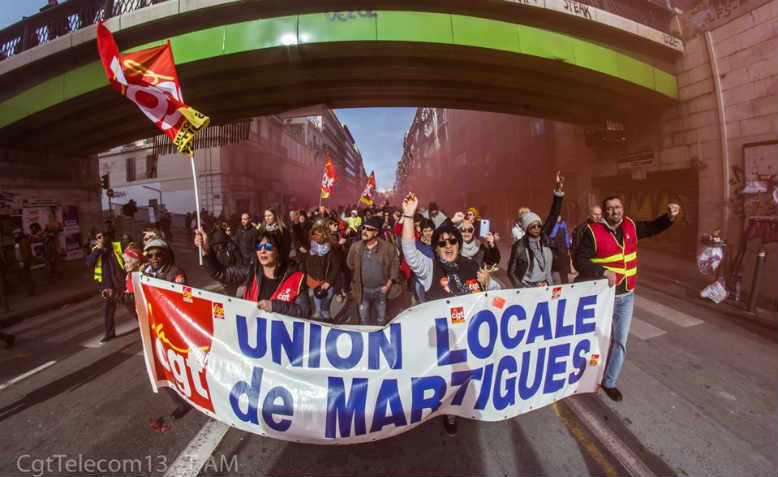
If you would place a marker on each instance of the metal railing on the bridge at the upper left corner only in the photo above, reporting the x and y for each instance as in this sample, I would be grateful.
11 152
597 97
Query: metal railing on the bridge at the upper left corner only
58 20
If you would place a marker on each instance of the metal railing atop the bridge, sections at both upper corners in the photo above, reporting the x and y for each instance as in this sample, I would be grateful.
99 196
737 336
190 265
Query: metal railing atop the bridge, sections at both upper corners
72 15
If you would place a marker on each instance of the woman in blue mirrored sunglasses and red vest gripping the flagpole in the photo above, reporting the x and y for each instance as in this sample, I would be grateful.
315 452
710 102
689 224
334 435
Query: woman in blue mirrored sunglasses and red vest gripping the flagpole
270 278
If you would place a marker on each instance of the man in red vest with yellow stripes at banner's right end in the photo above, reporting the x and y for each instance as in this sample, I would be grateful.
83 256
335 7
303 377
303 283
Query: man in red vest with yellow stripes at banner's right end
608 249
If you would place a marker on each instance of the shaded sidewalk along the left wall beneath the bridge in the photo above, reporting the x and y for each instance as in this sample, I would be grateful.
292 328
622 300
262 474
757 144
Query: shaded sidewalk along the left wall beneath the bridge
77 285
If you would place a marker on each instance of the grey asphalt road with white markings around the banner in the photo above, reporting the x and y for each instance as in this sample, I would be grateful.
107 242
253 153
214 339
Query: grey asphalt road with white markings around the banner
699 387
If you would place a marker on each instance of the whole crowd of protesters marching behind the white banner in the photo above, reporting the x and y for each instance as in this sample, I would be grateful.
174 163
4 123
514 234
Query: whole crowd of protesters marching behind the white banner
313 263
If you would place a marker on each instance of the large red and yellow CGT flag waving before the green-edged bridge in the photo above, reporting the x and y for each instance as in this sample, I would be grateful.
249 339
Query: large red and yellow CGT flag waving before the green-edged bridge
149 79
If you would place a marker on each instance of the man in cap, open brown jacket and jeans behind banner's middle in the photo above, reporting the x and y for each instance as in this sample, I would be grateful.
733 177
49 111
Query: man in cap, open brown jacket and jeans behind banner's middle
375 268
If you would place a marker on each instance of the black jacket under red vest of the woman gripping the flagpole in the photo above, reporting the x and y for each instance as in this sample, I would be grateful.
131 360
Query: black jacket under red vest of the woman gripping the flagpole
243 275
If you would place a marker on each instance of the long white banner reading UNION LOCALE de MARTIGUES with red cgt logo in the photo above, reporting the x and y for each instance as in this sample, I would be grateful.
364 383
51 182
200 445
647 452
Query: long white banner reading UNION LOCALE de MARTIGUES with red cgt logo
487 356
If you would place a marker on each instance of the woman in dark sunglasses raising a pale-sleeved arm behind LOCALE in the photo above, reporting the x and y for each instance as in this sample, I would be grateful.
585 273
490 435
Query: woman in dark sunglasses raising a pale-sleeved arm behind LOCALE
449 274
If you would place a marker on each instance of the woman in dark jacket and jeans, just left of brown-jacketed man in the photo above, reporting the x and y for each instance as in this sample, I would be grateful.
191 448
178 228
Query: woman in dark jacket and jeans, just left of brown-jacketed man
321 266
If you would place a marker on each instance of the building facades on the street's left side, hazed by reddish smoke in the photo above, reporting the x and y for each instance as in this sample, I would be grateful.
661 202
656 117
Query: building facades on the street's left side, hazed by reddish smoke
245 166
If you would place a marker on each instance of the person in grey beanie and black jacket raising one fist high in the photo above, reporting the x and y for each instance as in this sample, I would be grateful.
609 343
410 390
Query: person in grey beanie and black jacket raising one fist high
532 257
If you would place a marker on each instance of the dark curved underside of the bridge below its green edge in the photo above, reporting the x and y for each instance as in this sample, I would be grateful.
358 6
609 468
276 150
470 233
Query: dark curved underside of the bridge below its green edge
341 75
